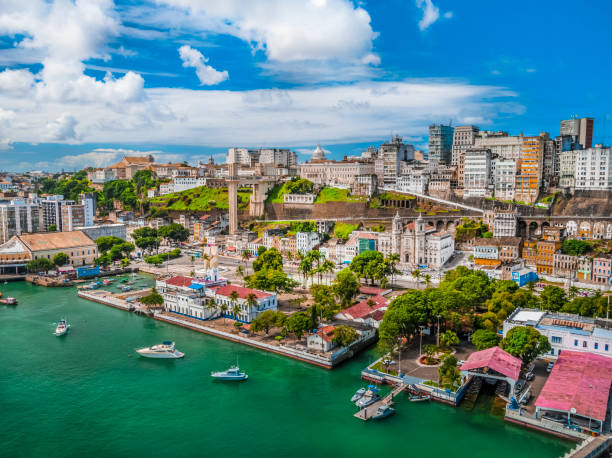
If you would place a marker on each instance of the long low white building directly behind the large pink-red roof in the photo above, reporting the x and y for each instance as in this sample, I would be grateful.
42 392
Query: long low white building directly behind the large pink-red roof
566 331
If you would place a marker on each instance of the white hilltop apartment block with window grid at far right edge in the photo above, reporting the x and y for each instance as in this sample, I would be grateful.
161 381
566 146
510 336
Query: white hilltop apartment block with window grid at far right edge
593 168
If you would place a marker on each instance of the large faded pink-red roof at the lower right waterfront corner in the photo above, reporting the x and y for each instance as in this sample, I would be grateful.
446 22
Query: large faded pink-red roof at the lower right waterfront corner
579 381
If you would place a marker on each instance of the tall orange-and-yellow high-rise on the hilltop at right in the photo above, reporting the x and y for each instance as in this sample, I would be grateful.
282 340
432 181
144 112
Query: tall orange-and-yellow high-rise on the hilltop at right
529 176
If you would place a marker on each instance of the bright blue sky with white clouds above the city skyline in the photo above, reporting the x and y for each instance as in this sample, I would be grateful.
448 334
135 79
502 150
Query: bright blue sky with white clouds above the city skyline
85 82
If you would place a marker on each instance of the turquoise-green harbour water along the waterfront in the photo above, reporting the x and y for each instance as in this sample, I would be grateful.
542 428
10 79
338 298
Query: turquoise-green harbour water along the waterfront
87 394
